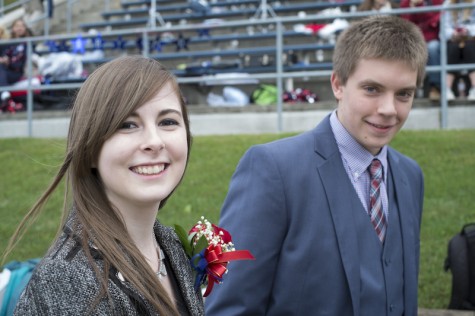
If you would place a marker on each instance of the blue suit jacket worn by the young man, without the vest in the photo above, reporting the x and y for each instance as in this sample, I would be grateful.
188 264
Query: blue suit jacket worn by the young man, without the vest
291 203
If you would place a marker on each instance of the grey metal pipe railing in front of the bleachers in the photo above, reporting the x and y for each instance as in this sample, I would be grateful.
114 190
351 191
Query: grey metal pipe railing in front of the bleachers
279 75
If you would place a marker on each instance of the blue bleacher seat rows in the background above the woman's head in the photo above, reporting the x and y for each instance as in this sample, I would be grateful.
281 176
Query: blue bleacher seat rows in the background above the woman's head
209 50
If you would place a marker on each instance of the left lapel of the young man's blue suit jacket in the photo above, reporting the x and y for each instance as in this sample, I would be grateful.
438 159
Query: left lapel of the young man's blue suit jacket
343 201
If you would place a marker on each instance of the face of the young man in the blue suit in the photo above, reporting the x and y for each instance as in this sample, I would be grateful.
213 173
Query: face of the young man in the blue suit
375 101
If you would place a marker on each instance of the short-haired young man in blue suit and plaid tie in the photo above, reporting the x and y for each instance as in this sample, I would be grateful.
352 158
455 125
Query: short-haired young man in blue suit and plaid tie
305 206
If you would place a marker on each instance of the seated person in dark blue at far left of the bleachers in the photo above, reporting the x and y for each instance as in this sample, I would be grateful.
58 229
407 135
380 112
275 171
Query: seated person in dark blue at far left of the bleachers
13 59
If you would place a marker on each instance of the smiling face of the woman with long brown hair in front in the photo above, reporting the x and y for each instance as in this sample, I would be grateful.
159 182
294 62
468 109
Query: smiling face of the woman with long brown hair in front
145 159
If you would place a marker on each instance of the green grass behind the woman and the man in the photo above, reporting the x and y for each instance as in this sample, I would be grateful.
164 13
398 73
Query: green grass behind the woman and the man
447 158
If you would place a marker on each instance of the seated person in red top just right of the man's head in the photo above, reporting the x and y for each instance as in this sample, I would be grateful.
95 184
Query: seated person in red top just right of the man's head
429 23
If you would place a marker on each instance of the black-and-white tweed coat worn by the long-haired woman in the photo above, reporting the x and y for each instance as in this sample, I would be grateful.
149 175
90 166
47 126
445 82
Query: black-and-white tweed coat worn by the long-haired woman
64 282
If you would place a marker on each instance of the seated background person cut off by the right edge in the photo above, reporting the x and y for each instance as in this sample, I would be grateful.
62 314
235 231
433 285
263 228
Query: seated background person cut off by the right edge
460 31
